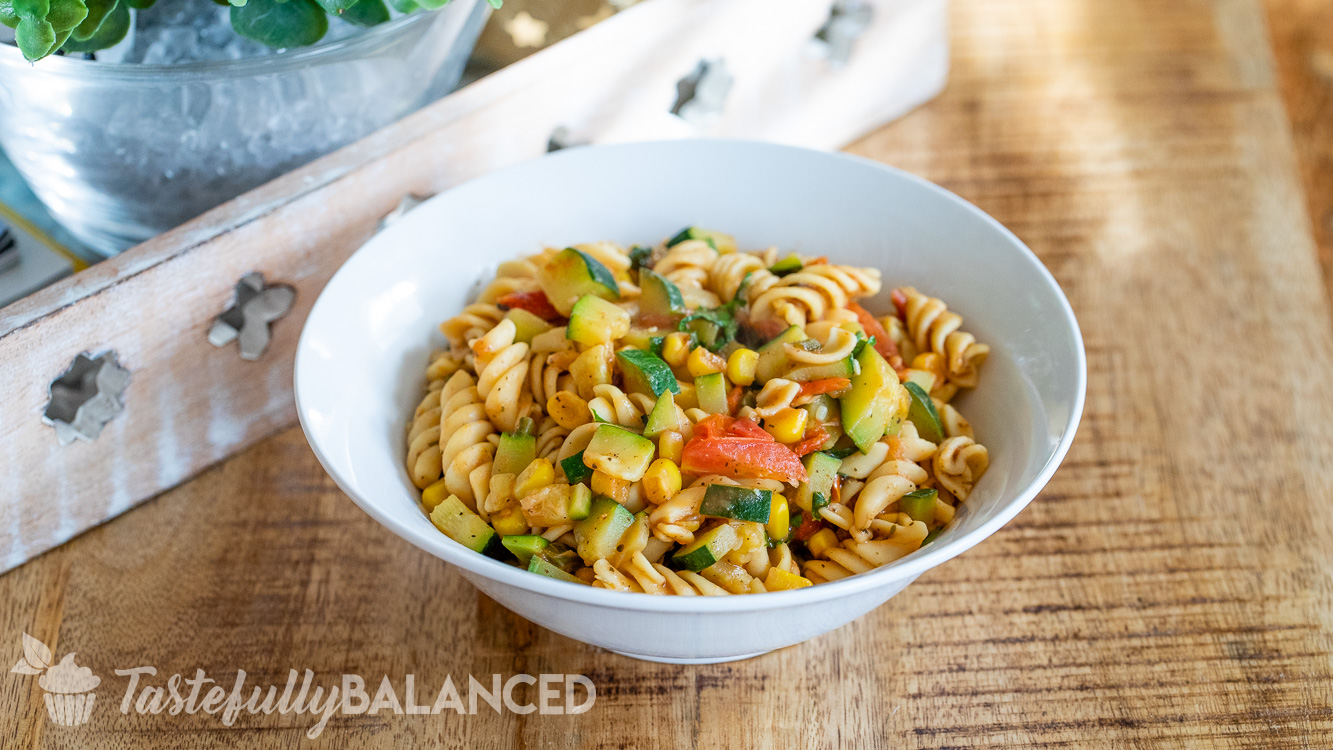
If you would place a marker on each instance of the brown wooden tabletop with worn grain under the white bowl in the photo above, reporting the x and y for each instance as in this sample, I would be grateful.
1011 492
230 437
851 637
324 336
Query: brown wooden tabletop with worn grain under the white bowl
1172 163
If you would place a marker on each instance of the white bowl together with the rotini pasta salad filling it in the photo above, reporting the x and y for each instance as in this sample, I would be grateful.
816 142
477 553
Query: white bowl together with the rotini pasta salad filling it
613 426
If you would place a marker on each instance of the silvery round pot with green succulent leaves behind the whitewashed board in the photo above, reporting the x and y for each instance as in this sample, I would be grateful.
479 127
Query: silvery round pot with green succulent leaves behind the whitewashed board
131 117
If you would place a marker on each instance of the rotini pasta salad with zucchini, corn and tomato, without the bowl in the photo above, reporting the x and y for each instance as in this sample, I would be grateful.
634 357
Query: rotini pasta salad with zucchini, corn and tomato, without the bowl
730 424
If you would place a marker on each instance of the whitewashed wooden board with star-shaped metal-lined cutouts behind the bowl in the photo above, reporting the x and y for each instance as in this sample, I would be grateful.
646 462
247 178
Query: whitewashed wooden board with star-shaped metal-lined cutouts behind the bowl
190 406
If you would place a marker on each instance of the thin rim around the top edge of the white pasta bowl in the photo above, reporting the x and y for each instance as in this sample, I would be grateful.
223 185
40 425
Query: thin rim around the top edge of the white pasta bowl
904 569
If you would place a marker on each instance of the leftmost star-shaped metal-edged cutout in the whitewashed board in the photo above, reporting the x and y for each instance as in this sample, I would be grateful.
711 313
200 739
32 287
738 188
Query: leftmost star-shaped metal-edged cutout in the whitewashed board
86 398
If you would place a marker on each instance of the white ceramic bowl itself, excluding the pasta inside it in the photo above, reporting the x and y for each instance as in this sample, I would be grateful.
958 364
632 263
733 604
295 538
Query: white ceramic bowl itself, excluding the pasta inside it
363 352
